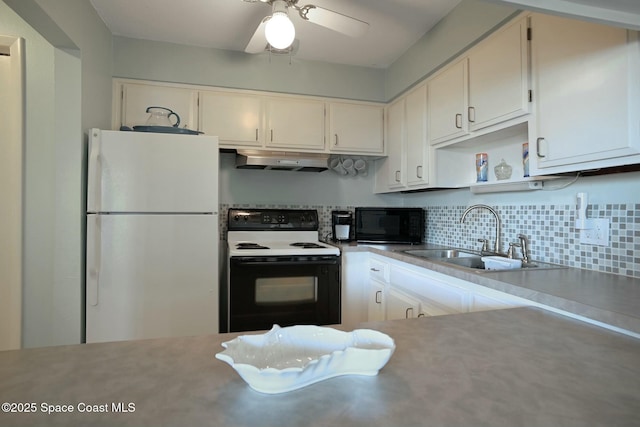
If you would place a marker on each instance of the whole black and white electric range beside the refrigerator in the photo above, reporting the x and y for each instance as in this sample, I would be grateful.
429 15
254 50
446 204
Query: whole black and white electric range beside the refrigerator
278 271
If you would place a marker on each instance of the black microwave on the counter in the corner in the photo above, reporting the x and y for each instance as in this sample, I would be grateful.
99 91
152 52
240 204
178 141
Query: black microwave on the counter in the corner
389 225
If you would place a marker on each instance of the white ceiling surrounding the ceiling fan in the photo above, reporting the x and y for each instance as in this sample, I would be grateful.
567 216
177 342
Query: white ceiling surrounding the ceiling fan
395 25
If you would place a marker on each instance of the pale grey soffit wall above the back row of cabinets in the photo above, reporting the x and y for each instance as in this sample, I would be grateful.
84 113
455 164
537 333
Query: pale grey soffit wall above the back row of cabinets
168 62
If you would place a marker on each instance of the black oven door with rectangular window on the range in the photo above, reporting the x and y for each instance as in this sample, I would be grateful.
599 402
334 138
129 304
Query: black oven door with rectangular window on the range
283 290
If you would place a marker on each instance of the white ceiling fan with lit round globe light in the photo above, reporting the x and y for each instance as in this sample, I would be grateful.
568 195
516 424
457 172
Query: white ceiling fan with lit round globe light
277 30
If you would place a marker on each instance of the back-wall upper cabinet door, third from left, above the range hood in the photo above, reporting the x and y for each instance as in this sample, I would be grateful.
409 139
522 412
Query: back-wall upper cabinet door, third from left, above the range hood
295 123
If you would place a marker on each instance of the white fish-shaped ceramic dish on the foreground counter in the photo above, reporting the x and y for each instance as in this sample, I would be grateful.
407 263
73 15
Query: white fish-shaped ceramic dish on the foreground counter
286 359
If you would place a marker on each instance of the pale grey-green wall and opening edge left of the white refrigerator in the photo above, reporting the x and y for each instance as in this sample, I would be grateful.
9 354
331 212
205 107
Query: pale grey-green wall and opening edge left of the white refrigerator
68 89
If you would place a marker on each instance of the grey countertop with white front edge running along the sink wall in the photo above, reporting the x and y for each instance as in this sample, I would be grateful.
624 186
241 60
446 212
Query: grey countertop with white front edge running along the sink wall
601 297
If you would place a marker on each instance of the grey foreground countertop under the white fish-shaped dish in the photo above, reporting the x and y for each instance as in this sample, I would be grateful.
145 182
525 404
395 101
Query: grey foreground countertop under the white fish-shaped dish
515 367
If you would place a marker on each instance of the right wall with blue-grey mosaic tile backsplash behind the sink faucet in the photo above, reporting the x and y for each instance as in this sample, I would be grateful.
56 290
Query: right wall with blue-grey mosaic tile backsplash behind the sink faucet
547 218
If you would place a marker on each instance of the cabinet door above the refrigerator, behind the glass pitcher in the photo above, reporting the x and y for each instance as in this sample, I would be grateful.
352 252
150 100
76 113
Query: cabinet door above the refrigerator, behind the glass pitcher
137 97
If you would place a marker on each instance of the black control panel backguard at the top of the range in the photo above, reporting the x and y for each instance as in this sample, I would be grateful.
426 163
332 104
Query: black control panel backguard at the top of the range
273 219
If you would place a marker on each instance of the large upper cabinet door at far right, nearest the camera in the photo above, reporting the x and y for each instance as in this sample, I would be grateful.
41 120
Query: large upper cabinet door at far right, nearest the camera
586 92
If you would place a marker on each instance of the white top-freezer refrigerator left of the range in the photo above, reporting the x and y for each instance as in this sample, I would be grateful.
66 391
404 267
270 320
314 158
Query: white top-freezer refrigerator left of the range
152 235
